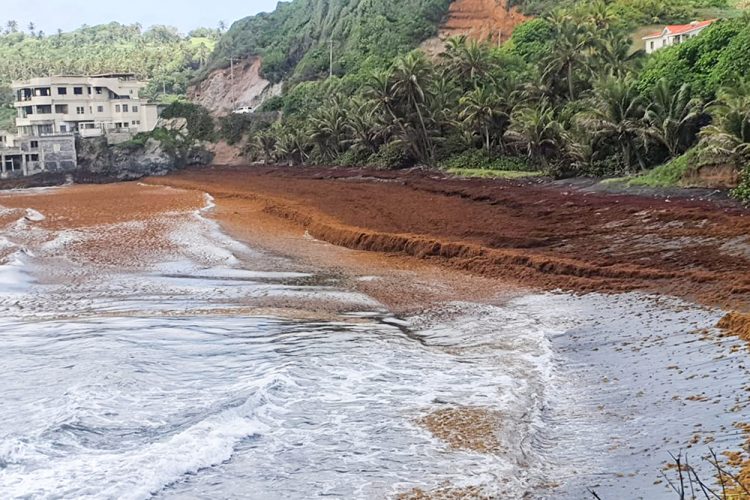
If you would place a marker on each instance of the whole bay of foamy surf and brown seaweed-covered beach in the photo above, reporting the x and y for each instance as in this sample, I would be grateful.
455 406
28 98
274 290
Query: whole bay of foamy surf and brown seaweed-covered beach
271 332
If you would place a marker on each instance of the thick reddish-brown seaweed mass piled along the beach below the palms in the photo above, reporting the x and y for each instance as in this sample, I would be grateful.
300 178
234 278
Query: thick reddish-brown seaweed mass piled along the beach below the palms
533 234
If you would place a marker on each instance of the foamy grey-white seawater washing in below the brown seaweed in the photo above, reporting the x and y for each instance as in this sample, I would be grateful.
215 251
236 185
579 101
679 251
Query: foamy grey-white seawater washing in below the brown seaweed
185 378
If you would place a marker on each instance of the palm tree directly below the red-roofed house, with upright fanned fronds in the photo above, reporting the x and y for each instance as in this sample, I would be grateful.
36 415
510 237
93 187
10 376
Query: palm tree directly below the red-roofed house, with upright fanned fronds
674 117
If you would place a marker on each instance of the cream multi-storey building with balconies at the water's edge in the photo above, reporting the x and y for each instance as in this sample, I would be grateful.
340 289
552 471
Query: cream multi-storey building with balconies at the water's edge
86 105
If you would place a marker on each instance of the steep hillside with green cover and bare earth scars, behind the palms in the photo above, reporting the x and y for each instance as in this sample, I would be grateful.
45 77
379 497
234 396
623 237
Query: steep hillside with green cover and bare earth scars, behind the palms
292 46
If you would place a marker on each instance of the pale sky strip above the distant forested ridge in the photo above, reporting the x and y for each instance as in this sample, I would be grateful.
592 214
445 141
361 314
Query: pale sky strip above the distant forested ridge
49 15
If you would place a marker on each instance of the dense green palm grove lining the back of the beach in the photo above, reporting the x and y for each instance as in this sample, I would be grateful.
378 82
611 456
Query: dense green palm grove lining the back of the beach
567 95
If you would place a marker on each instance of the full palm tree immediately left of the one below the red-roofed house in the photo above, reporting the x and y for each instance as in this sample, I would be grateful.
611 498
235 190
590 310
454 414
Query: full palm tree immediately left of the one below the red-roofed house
618 117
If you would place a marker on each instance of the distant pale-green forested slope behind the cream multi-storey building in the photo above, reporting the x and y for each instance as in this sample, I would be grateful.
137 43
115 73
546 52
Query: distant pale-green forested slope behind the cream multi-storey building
160 54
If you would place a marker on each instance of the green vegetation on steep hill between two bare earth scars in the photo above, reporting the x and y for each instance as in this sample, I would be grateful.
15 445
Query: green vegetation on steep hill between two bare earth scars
295 40
